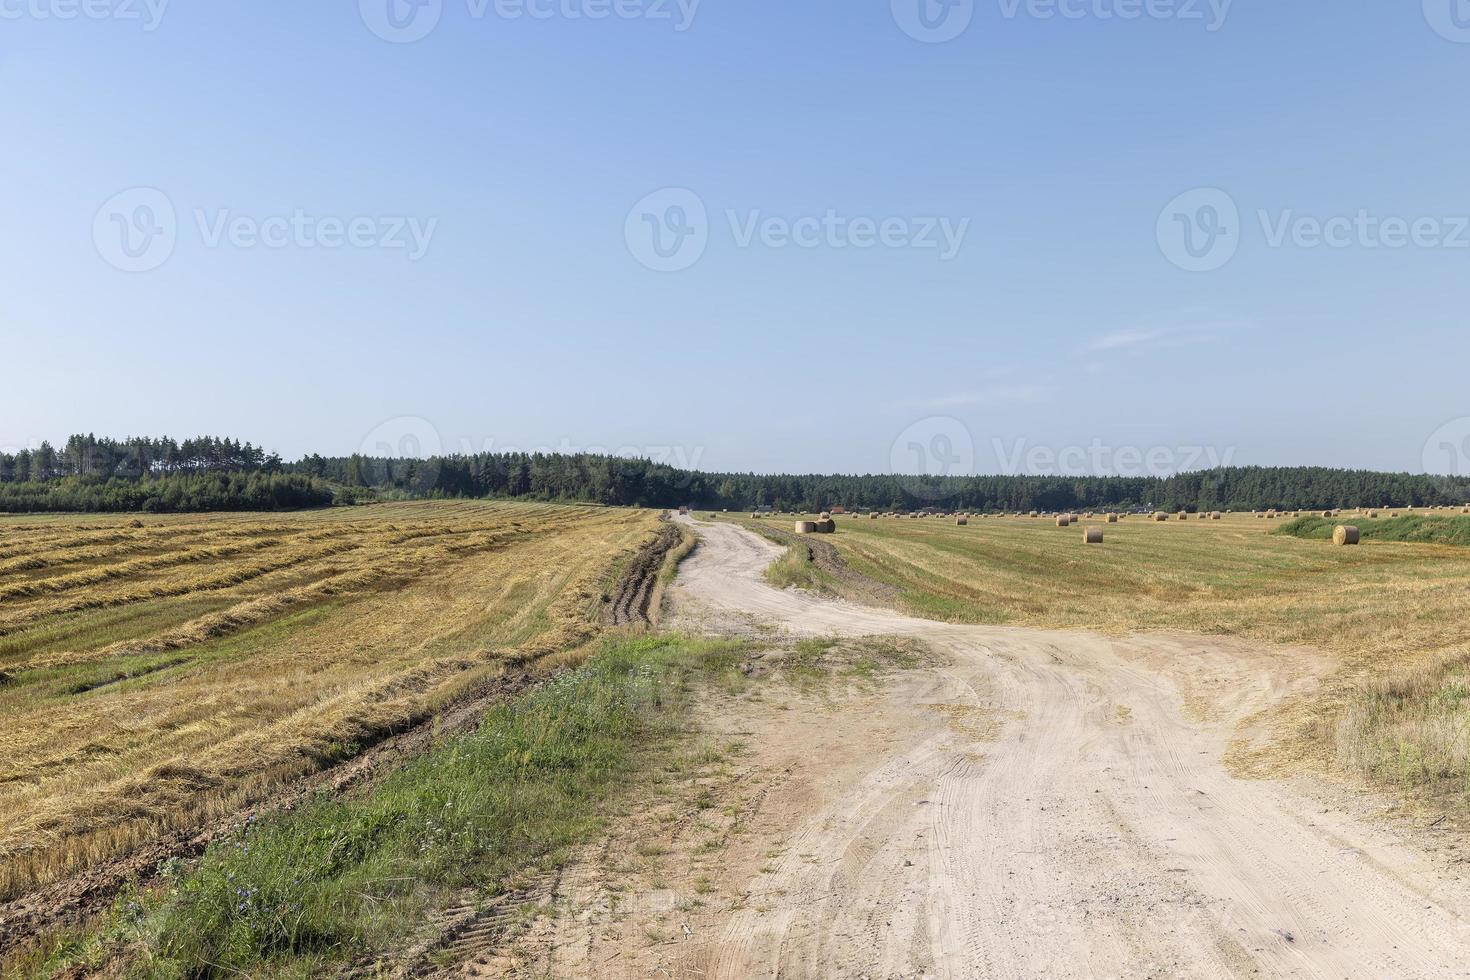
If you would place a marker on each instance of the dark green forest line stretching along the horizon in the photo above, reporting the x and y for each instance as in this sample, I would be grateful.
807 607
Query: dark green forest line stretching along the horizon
214 474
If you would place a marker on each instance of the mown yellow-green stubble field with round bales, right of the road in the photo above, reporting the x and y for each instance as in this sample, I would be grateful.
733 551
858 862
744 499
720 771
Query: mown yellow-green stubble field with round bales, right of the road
1383 608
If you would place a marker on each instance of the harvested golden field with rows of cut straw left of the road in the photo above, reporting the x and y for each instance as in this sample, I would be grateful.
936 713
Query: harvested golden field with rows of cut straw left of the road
161 674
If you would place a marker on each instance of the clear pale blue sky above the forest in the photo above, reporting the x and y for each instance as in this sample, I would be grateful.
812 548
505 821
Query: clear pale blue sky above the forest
530 321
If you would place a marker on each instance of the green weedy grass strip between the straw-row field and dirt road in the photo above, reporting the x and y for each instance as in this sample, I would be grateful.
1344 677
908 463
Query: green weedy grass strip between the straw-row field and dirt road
346 879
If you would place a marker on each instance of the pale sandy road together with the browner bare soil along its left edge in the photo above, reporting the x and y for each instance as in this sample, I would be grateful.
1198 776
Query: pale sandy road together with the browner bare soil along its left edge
1037 804
